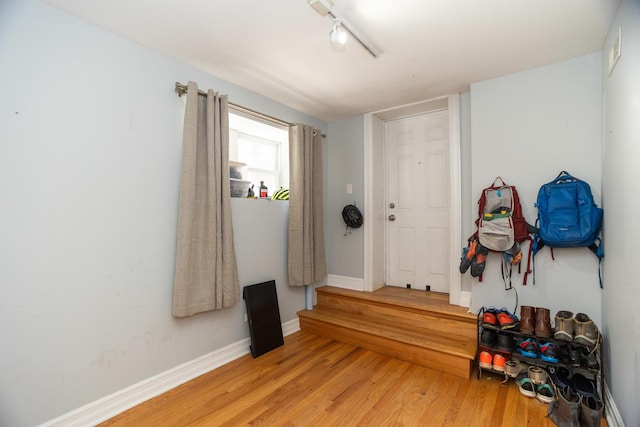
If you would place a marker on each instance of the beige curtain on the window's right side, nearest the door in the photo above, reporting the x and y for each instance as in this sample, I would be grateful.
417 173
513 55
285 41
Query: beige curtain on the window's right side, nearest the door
306 258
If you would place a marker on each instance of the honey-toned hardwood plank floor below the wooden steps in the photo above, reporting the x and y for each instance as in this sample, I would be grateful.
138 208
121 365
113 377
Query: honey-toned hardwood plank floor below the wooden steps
316 381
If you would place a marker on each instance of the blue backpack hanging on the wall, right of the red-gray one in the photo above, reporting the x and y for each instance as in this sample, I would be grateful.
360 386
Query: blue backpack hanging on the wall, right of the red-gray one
567 217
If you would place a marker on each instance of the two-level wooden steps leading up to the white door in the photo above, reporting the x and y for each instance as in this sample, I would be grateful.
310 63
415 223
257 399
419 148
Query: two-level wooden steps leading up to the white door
411 325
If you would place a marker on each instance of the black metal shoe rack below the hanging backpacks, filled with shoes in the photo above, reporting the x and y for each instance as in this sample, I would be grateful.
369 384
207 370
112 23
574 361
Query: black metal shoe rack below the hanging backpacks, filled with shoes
594 375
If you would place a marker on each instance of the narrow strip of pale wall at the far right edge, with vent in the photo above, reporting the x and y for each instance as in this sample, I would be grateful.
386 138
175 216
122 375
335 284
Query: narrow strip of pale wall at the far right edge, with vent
620 179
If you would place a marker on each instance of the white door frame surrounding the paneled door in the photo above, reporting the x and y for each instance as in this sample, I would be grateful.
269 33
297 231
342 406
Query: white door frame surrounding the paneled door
375 197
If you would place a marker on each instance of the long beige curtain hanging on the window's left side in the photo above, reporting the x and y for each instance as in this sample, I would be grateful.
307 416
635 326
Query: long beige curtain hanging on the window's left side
206 276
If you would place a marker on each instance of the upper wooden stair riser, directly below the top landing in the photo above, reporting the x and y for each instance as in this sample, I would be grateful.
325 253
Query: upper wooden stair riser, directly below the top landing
401 315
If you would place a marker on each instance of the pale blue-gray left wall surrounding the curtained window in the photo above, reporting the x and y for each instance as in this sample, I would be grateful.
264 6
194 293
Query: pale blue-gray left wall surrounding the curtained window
90 148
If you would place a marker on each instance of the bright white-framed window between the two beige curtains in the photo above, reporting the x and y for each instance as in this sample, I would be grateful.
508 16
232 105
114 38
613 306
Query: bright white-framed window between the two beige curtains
263 147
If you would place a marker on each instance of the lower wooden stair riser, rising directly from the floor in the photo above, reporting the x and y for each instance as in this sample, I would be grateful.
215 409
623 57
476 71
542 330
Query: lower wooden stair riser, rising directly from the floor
421 356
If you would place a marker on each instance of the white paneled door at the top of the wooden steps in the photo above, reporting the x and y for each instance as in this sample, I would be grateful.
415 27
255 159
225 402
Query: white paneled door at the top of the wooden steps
418 205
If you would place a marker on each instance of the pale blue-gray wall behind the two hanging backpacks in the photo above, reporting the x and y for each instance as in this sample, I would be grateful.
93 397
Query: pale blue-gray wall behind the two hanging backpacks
527 128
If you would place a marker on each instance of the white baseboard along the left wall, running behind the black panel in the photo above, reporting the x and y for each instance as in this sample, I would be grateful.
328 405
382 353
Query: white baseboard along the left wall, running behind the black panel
118 402
